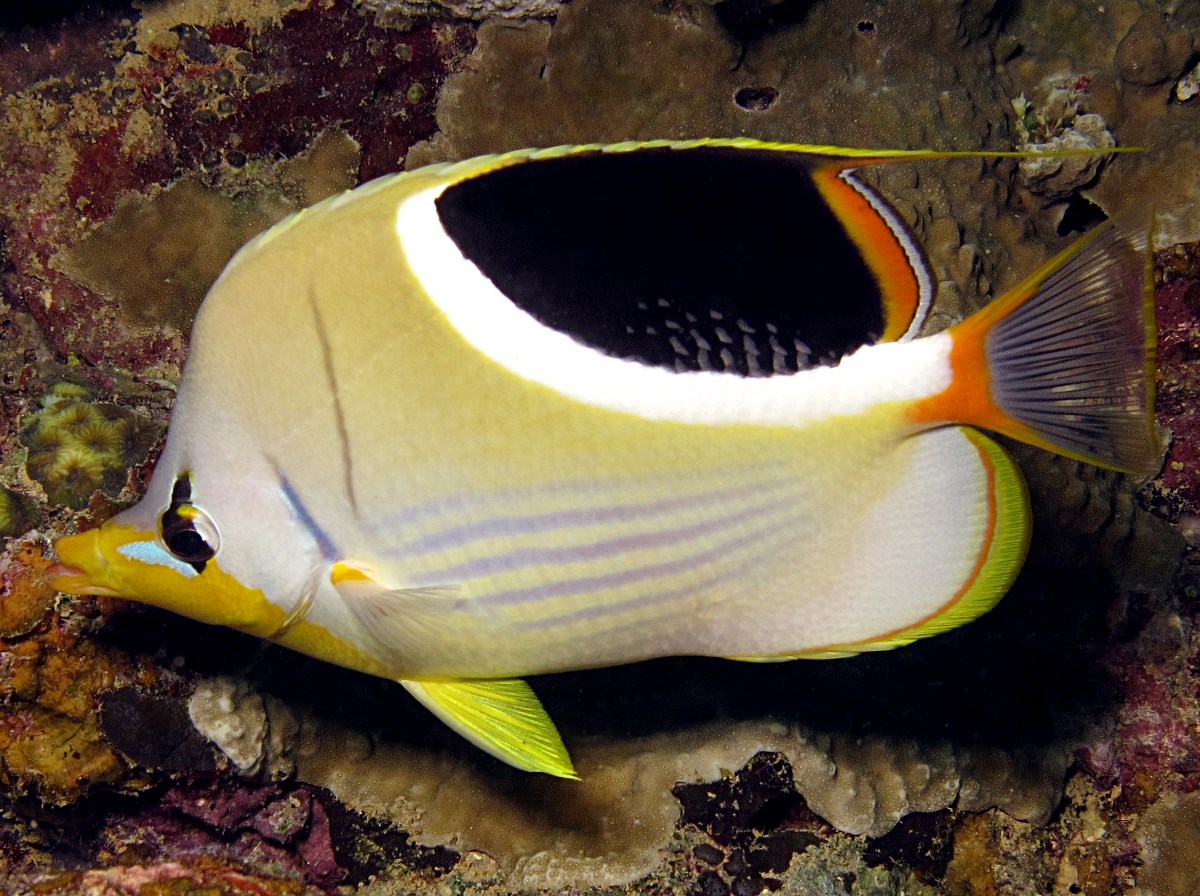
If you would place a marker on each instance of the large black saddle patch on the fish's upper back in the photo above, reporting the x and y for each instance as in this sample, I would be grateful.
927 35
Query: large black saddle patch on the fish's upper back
711 258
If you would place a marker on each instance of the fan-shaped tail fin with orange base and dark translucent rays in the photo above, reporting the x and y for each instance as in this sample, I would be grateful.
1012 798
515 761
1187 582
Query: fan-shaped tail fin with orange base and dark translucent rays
1066 359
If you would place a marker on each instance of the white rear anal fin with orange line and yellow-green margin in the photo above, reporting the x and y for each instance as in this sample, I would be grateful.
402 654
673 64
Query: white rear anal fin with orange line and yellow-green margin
952 519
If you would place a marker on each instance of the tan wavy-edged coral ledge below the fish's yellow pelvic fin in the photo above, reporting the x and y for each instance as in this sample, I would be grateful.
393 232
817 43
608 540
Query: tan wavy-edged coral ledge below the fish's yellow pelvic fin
611 828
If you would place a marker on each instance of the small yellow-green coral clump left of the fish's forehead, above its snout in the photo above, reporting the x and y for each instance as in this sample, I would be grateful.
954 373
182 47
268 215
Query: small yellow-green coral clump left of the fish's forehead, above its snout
79 448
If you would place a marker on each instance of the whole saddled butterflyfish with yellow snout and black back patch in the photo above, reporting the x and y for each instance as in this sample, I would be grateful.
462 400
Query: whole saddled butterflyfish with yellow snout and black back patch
569 408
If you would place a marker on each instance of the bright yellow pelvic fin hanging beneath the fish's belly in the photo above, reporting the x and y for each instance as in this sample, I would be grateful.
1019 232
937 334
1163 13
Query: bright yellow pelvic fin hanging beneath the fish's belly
503 718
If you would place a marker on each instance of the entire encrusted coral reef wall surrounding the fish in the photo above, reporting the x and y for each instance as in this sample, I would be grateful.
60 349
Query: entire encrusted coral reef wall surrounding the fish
1053 747
